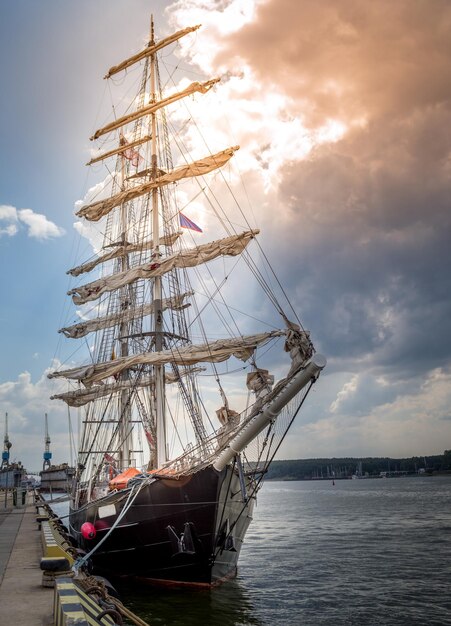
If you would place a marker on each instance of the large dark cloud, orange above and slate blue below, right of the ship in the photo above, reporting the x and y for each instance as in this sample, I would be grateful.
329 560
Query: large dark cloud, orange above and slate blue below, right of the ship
369 216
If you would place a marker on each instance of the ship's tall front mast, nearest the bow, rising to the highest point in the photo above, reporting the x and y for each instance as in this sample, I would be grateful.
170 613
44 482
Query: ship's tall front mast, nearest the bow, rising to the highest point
157 296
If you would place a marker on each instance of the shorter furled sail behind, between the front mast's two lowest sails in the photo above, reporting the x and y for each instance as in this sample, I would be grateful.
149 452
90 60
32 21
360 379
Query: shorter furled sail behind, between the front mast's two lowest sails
176 303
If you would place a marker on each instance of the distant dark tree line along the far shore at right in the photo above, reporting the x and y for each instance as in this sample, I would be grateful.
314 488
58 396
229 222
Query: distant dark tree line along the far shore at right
317 469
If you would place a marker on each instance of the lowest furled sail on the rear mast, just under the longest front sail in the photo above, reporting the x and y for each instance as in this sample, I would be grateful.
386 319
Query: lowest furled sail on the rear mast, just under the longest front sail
80 397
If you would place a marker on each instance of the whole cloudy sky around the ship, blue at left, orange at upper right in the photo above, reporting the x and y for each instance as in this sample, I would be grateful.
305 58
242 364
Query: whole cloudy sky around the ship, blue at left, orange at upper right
342 109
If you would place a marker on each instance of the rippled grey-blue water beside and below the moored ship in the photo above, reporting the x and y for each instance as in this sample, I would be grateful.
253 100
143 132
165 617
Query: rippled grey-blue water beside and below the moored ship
358 552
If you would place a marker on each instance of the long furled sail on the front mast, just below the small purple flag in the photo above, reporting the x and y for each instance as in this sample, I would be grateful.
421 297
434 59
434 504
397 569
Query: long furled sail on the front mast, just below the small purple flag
229 246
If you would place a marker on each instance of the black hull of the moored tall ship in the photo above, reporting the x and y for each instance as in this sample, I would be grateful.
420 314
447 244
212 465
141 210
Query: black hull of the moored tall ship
187 531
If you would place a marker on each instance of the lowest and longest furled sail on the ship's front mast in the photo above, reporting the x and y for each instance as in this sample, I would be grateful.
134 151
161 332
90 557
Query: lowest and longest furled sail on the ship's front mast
214 352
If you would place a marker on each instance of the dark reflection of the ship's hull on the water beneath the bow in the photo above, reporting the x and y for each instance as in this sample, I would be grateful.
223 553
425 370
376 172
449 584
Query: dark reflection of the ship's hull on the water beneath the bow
227 605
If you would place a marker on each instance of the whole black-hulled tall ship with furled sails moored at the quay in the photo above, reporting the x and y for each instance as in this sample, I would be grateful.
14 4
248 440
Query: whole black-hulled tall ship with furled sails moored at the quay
181 413
